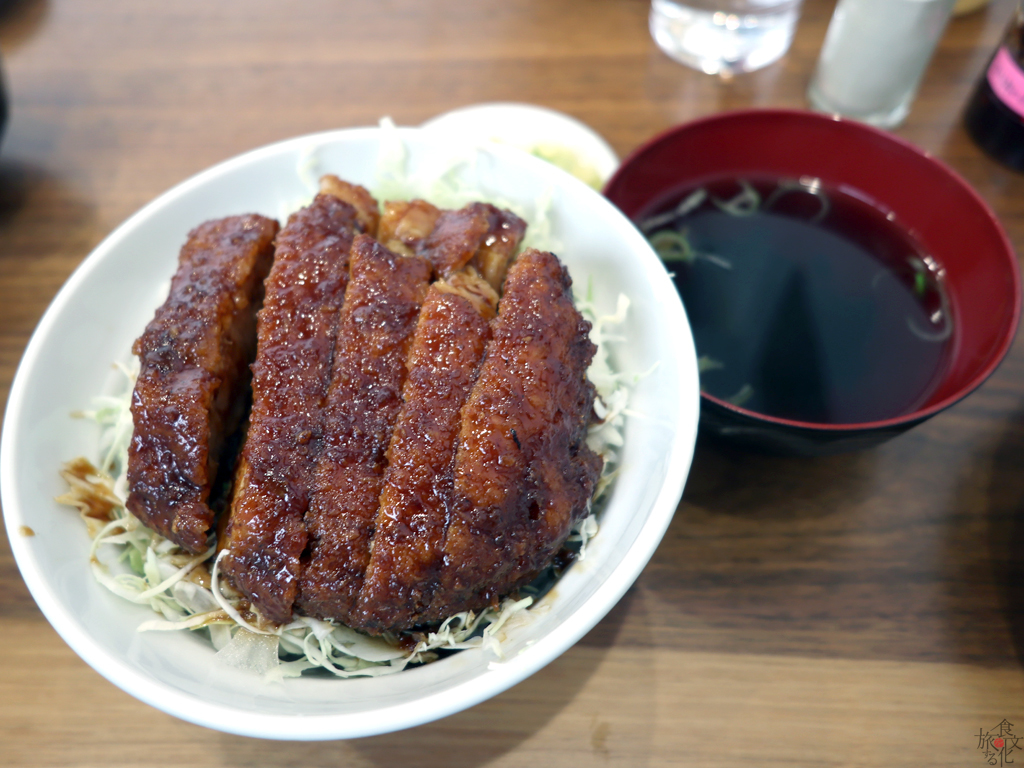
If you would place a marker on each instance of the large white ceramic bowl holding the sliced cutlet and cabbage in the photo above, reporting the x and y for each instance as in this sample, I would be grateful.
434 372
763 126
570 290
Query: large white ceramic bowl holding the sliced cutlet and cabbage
110 298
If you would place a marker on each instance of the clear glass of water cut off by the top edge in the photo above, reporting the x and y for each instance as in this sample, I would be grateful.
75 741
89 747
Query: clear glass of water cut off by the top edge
724 37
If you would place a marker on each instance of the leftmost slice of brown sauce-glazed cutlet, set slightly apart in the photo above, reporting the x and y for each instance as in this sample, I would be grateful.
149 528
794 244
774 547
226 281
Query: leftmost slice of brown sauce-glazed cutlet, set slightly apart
195 358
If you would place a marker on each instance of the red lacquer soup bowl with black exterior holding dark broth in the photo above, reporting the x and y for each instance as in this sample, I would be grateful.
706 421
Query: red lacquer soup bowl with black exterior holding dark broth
935 206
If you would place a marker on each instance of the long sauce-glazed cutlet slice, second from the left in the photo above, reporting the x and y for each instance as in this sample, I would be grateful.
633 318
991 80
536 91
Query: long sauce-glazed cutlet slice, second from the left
266 534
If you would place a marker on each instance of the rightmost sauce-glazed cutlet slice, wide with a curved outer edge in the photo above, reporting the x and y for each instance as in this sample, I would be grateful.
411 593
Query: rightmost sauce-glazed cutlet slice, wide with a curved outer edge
524 473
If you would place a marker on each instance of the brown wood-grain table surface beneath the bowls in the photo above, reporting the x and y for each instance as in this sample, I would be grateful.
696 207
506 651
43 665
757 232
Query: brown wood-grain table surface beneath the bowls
858 611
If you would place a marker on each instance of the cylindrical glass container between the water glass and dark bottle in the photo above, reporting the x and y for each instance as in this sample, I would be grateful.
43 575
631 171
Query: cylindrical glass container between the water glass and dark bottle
874 58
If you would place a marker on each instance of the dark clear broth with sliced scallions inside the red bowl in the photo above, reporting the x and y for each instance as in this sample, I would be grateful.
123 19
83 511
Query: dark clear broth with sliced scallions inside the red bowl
807 304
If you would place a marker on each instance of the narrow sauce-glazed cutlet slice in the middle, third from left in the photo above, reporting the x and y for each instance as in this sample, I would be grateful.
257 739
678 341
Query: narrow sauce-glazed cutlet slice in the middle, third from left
375 332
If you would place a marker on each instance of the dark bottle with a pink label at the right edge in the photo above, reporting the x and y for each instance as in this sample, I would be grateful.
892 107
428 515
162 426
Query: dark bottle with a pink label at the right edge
995 116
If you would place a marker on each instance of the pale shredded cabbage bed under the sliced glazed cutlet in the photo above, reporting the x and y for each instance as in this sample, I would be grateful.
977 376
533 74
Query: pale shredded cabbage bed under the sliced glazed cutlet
187 591
